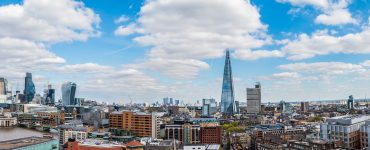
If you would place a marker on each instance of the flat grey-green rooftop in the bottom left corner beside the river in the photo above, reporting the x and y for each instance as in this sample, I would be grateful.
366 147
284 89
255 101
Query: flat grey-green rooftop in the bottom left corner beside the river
22 142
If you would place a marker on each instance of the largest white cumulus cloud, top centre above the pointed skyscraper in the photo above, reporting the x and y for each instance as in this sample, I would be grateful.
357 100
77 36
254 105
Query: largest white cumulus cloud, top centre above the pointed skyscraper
182 33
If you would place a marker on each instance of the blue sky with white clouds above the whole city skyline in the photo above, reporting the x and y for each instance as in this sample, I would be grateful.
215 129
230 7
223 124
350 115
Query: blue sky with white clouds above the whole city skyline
144 50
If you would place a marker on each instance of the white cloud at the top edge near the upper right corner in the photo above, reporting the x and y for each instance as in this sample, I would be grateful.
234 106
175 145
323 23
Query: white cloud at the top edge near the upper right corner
333 12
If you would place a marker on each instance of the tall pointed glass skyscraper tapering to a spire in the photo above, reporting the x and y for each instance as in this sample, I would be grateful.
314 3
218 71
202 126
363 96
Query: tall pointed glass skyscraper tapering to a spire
227 96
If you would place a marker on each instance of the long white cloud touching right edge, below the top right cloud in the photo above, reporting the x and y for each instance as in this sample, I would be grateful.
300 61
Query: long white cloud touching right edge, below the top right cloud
306 46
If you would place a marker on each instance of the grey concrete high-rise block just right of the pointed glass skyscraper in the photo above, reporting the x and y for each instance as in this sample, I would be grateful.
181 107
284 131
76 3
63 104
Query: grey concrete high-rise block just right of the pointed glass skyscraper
254 99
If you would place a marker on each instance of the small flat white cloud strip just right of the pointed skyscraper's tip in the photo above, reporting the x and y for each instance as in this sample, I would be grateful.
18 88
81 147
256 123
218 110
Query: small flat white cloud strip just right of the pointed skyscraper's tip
257 54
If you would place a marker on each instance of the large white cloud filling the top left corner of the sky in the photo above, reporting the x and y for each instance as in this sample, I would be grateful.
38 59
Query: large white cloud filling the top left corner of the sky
48 21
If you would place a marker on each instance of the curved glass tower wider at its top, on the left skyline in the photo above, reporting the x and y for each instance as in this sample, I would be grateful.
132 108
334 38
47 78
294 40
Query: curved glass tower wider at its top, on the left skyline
68 93
